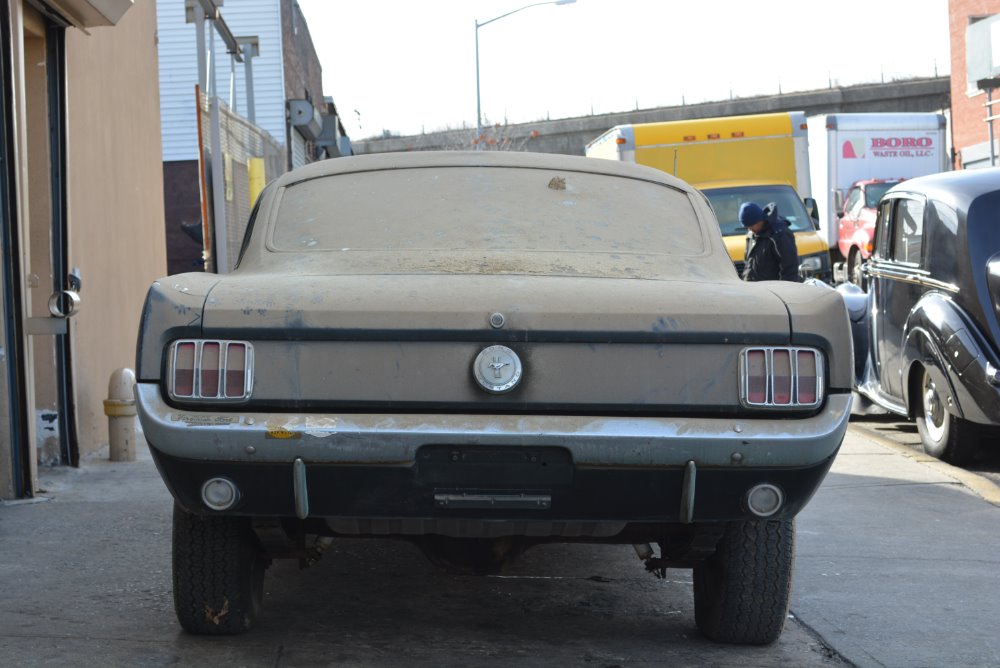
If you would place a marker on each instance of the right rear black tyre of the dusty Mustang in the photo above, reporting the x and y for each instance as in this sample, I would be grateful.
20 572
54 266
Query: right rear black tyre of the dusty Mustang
741 592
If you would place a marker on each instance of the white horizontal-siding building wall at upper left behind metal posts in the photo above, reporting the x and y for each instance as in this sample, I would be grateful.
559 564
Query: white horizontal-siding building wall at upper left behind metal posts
179 72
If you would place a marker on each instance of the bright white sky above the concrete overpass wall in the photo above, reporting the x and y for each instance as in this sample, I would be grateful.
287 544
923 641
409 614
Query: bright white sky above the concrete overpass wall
408 66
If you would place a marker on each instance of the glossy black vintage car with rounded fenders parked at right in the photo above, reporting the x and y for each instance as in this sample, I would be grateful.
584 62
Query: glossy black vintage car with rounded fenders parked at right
928 329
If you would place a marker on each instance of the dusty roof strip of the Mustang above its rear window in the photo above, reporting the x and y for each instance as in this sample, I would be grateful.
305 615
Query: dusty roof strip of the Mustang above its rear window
516 159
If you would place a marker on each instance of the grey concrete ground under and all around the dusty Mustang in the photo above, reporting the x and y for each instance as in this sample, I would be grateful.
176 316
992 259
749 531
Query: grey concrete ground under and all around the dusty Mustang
897 566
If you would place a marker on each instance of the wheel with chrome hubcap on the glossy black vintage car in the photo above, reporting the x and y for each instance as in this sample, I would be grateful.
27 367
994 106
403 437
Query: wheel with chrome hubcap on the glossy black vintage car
943 435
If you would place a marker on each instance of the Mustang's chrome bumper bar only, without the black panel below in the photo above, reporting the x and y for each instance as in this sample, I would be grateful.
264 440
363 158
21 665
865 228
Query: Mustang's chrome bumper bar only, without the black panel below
393 440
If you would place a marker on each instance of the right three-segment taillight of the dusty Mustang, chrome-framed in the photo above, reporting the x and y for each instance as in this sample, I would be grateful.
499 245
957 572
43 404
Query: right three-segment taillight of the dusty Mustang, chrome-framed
780 377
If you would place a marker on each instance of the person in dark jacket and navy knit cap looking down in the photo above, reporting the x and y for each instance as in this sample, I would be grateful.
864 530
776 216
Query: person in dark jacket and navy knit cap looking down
771 254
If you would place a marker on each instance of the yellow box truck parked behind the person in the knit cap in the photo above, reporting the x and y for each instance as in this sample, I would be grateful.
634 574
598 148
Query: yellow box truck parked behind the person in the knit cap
758 158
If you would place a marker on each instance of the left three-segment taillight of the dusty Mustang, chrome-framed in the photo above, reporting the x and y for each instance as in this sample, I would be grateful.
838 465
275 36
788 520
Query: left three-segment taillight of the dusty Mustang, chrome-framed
212 370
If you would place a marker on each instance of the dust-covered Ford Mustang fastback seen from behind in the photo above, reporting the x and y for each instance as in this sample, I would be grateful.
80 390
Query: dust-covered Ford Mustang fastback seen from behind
481 352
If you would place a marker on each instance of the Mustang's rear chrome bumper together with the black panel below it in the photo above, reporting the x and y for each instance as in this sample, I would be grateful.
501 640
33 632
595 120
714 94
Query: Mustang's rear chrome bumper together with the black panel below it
481 474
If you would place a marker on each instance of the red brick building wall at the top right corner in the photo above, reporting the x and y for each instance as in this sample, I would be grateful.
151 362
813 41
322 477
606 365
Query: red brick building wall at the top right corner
967 113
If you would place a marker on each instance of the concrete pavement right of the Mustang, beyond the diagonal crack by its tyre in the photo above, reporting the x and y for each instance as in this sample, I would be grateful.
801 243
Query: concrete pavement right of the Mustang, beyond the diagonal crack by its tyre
898 562
